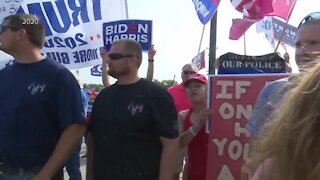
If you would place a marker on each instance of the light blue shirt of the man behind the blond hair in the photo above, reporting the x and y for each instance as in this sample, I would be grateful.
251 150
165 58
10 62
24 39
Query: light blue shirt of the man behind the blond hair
269 99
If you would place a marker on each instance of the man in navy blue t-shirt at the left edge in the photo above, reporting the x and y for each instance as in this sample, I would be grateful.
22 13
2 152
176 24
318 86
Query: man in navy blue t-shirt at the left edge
41 112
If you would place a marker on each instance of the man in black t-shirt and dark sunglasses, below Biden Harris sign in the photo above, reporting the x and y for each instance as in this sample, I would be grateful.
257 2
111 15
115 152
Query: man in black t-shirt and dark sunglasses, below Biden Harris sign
133 133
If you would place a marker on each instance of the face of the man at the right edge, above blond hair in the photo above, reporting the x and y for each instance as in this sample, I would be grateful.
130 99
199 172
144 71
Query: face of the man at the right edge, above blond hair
307 43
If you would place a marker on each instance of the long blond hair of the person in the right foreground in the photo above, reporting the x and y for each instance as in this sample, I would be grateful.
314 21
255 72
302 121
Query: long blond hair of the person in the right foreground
292 137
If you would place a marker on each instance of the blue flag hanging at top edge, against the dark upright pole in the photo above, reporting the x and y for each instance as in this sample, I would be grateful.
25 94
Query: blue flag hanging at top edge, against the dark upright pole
206 9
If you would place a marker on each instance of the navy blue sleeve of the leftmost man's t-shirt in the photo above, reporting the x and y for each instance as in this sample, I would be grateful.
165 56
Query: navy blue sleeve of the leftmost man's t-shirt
69 100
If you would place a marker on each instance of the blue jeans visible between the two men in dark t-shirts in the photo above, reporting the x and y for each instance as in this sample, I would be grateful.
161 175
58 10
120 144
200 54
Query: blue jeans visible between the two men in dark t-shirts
73 165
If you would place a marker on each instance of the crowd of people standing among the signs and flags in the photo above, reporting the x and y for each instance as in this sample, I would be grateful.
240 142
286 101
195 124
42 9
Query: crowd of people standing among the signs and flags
137 130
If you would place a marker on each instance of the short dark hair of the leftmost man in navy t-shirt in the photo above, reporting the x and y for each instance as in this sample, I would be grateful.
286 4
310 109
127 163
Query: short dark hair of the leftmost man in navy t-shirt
31 23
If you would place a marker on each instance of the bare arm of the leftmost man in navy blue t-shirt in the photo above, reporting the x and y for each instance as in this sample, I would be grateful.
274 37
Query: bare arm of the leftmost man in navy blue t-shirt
68 142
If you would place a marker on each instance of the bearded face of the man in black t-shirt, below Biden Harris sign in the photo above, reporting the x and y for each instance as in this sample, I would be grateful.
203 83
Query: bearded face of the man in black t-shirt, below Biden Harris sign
121 66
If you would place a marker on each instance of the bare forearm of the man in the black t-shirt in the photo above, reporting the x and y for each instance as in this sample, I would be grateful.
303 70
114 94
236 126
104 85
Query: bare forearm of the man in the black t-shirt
169 158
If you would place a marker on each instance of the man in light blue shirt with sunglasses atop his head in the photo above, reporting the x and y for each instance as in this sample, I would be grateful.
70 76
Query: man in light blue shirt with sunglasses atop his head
307 48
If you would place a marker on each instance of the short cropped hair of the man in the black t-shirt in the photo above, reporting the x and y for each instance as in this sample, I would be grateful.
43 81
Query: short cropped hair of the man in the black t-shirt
131 47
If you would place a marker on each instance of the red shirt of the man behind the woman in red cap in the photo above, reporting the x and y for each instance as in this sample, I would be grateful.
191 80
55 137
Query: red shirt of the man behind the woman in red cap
180 97
